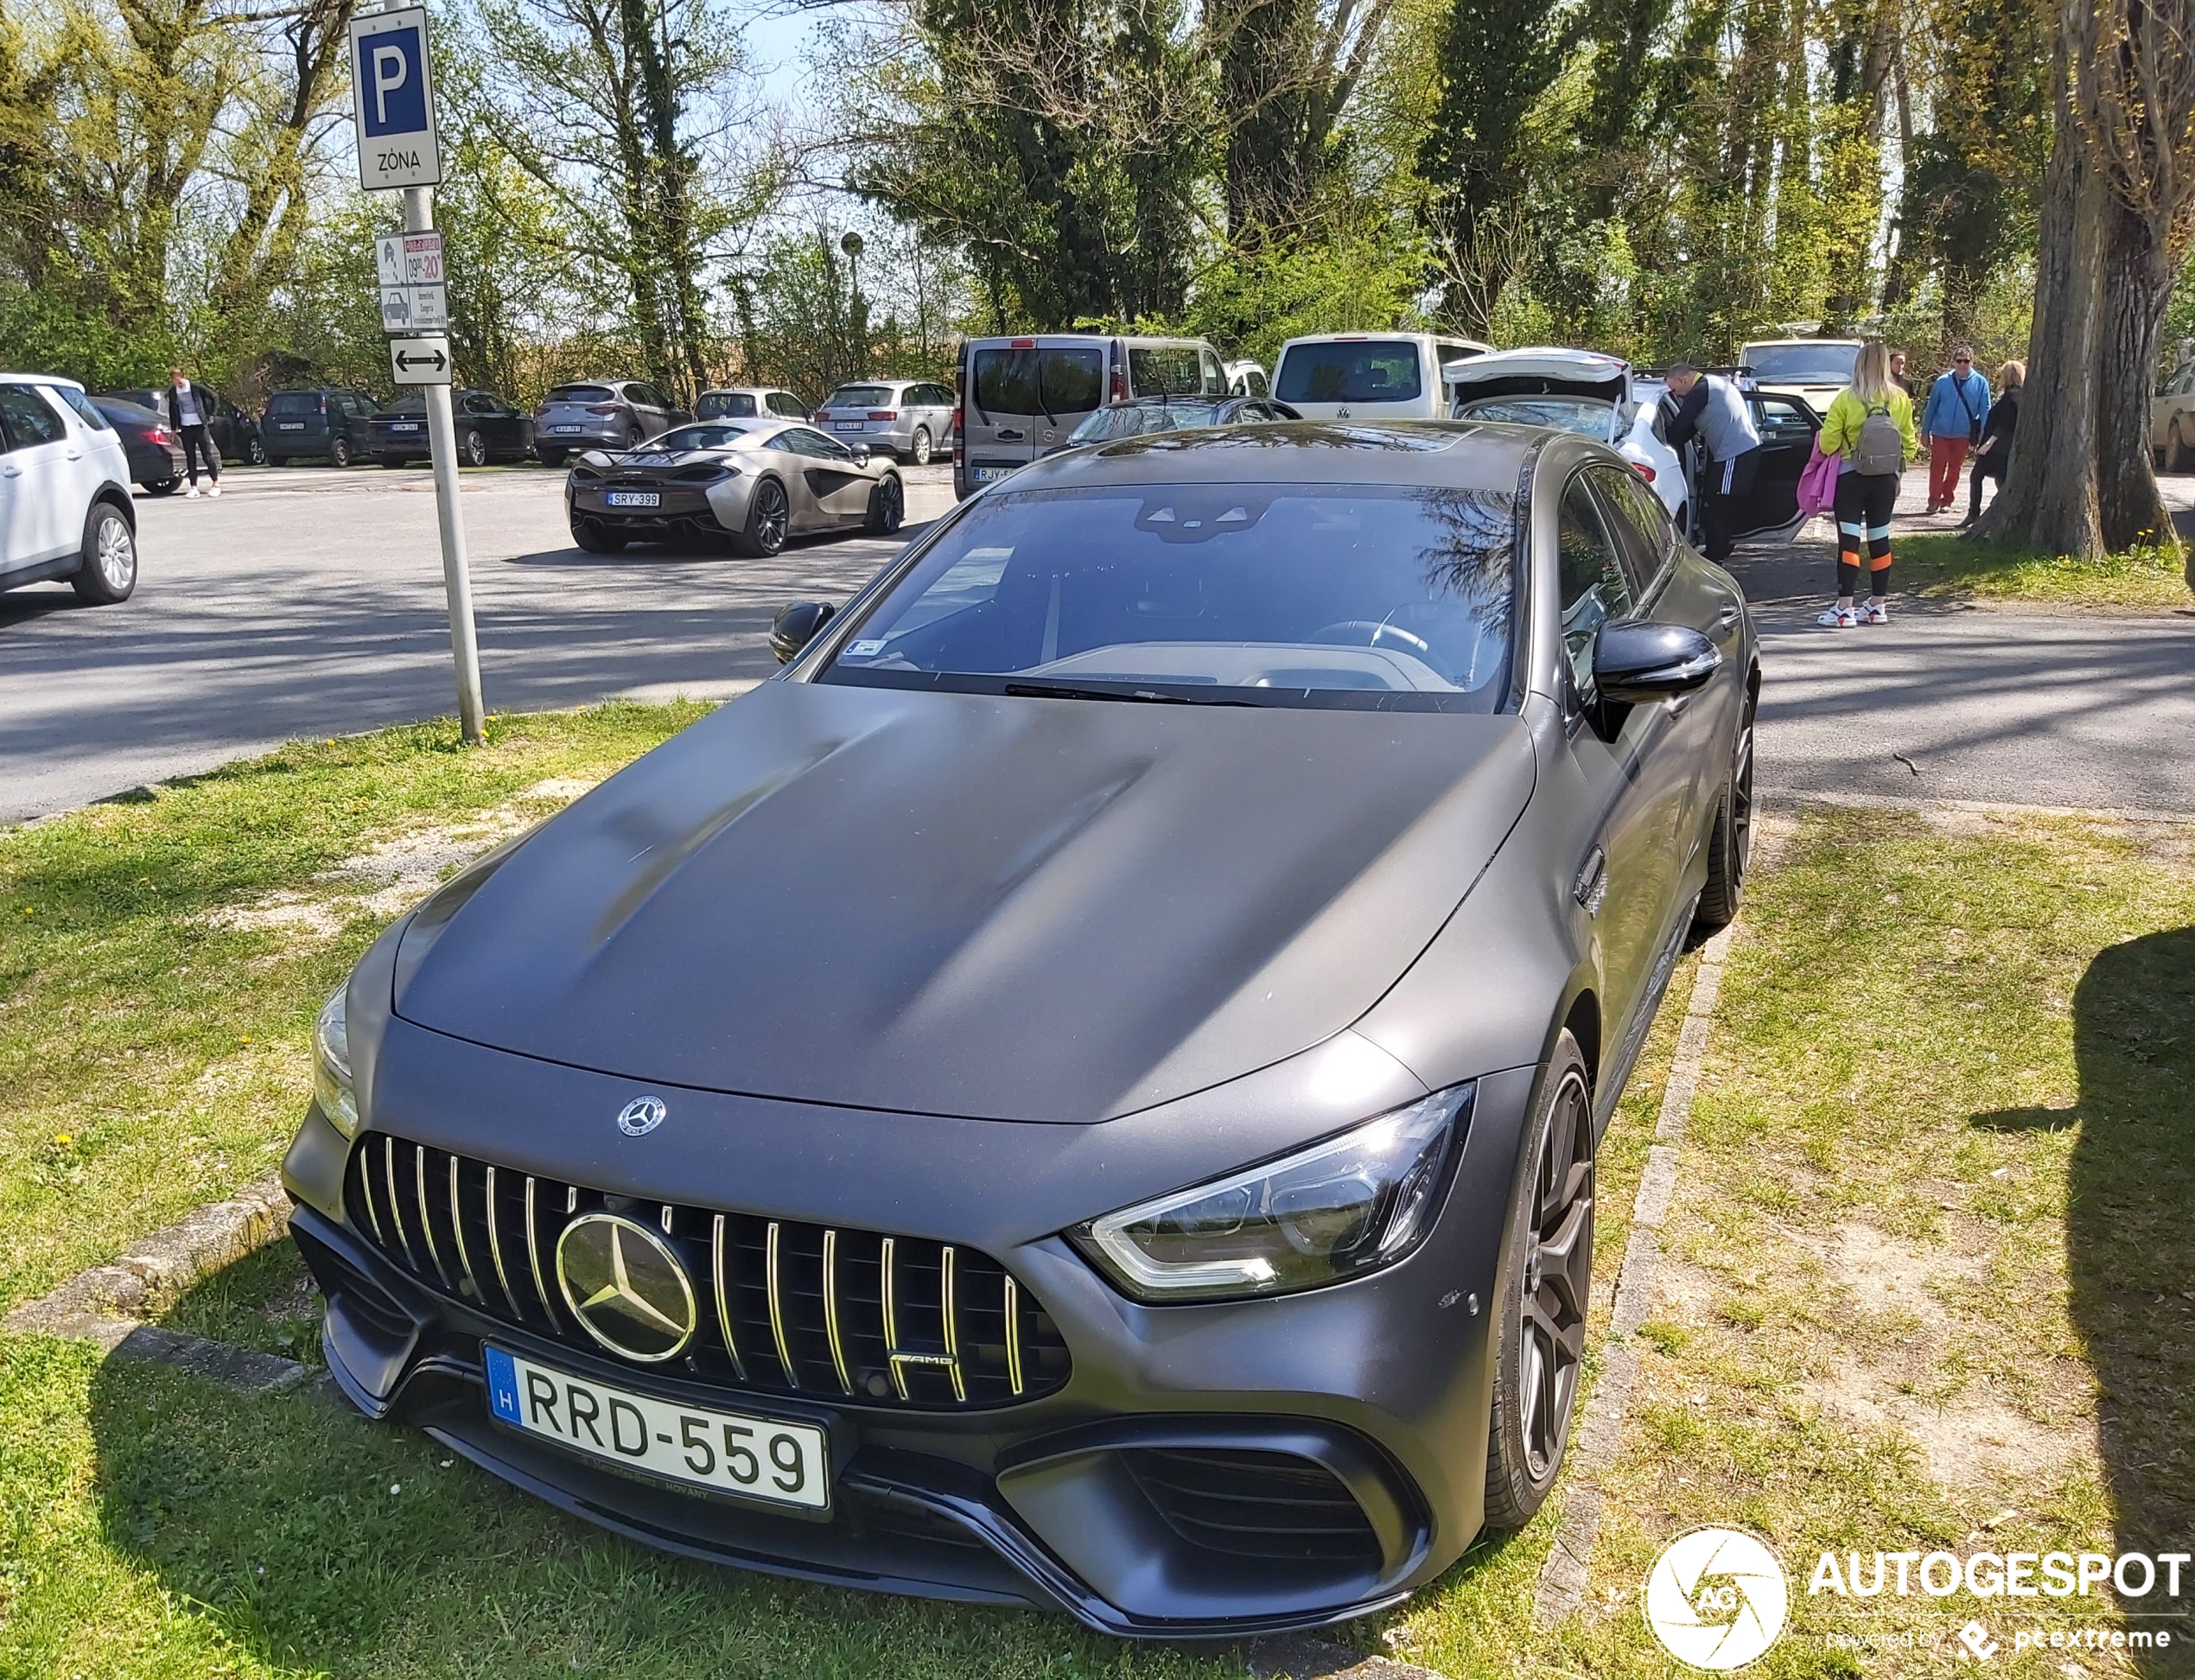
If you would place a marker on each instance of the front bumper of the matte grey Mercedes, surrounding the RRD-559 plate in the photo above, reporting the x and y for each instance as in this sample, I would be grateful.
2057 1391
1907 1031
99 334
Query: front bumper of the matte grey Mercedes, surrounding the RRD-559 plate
1382 1385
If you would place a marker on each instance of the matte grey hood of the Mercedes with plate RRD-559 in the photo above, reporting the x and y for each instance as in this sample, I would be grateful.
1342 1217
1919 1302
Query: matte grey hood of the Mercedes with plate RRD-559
973 906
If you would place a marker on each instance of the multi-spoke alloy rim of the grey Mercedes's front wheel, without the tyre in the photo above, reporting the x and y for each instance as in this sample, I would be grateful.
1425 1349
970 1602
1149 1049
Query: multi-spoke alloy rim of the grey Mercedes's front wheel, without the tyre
1560 1277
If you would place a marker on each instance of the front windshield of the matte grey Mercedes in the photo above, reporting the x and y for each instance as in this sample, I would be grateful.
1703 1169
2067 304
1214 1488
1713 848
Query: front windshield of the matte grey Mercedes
1222 594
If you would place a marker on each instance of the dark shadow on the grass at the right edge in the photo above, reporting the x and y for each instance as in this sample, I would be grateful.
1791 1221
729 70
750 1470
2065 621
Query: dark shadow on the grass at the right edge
2132 1244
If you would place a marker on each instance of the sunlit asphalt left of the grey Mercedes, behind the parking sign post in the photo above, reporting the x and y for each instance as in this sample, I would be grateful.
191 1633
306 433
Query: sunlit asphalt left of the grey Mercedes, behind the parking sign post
308 603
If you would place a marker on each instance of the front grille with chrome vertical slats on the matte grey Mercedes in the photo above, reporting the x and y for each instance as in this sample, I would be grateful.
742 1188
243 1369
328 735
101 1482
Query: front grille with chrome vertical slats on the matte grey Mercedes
785 1306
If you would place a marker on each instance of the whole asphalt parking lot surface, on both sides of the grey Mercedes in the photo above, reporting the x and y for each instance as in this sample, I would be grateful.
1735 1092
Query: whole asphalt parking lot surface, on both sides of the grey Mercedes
308 603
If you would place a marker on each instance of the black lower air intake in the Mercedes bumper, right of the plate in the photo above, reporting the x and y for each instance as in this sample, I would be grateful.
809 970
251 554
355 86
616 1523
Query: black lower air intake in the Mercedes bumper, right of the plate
1254 1503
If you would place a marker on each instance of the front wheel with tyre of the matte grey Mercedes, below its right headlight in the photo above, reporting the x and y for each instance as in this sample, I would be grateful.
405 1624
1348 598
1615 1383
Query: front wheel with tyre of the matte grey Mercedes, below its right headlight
1540 1349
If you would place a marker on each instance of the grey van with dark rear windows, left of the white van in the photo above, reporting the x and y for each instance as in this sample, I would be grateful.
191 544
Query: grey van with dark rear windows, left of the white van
1022 399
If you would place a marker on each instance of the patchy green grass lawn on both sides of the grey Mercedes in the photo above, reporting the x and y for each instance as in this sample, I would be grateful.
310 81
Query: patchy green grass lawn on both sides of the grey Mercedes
1963 1082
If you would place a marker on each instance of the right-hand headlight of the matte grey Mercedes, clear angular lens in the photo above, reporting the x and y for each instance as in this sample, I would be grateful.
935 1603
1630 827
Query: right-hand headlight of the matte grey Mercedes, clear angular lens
1327 1213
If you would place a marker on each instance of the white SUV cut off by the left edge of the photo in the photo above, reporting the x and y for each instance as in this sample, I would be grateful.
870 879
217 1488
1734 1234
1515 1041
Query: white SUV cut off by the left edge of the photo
65 491
